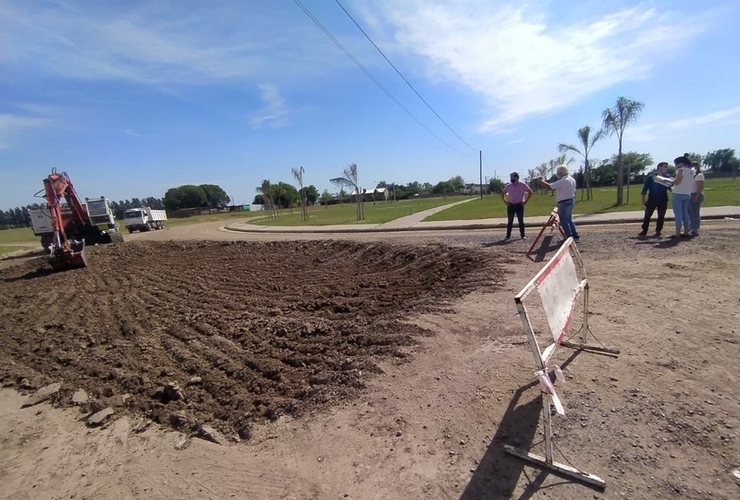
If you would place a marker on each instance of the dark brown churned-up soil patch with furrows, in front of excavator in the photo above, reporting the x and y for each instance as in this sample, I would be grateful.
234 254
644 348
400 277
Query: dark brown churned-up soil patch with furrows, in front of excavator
224 333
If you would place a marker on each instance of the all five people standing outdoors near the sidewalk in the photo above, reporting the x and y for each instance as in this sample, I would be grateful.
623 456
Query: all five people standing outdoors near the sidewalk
687 197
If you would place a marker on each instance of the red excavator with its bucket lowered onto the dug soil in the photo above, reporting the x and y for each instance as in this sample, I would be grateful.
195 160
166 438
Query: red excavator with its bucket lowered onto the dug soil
72 226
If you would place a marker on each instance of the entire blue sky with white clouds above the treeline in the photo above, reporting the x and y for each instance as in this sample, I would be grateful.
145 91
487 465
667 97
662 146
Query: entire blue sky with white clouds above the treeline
132 98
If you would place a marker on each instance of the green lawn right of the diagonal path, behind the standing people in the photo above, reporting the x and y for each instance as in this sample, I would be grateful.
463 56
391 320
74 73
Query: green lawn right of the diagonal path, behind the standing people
718 192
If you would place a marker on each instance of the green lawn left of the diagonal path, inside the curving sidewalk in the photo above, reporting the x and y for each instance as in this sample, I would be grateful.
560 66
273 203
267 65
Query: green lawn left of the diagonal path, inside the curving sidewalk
345 213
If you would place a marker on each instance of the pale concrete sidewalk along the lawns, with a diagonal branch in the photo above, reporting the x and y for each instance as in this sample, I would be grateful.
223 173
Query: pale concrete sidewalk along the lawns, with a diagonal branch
415 222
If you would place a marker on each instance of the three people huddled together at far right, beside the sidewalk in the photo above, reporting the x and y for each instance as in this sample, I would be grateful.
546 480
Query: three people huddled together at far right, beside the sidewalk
687 197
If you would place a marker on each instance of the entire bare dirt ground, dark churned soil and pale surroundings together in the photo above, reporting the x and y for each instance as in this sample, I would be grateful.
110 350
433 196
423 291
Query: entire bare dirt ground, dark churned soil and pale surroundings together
364 366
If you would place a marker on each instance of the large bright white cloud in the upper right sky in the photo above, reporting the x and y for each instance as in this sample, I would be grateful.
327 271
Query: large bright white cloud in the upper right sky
524 60
